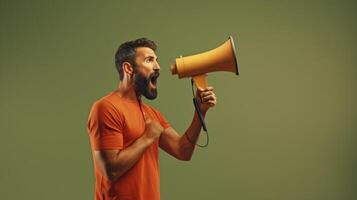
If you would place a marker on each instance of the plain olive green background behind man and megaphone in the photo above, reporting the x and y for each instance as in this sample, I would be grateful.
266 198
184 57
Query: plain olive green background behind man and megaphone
285 129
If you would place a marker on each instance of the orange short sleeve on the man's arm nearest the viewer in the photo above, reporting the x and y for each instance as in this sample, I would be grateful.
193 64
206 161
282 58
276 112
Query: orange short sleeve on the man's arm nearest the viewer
105 126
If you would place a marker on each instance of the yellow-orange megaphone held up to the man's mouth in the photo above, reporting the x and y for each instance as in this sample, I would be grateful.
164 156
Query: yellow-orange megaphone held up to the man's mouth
222 58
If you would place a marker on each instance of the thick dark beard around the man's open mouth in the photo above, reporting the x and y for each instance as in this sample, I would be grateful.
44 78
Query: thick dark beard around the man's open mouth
142 85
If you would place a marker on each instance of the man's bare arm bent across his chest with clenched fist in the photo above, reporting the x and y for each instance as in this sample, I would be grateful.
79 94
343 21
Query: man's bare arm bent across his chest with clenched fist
114 163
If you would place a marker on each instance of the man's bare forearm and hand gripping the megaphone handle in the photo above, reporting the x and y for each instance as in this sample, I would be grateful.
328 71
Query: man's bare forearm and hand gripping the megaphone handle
178 145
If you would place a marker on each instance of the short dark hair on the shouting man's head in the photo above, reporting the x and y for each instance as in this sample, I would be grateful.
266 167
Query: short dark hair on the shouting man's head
126 53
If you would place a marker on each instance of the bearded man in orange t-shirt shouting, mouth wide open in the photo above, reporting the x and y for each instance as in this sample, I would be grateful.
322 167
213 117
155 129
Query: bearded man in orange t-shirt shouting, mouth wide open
125 133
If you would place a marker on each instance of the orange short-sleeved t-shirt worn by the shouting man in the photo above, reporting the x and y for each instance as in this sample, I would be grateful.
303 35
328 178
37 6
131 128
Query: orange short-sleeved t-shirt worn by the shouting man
115 123
